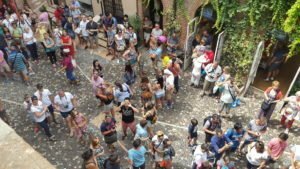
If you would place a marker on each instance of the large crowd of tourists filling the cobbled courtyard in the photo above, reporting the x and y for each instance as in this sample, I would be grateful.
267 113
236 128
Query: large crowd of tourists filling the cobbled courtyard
21 34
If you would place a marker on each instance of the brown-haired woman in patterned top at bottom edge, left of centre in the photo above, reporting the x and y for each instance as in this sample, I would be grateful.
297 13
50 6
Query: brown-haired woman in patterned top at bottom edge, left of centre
98 151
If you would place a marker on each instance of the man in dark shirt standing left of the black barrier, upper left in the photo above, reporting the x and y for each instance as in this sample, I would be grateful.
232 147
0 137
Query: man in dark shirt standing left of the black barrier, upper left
92 28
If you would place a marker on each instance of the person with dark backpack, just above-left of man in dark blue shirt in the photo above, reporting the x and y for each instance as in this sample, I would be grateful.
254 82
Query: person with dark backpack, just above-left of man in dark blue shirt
211 123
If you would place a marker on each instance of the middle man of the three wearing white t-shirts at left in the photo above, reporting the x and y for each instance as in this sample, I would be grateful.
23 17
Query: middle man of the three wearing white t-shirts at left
45 96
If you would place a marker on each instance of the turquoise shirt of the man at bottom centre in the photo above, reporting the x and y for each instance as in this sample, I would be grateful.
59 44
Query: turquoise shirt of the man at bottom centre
137 156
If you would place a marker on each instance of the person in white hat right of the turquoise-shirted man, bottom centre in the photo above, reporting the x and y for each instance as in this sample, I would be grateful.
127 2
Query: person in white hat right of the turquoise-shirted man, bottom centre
157 147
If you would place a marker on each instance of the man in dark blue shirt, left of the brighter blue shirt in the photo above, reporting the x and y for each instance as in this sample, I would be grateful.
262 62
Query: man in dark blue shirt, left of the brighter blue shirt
220 143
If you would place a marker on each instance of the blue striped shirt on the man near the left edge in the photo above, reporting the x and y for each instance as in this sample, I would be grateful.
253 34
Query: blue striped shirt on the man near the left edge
17 59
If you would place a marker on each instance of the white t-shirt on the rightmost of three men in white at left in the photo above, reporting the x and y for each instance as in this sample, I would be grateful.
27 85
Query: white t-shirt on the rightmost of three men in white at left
64 103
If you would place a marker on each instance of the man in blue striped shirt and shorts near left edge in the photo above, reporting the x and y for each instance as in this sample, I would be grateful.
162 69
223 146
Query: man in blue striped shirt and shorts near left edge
18 62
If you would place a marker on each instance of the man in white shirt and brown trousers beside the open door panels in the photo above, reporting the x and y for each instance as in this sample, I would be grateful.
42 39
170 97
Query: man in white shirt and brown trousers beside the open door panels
213 71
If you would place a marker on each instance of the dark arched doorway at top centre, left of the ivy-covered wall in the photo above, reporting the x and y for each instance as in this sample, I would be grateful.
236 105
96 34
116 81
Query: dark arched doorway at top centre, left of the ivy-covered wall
154 11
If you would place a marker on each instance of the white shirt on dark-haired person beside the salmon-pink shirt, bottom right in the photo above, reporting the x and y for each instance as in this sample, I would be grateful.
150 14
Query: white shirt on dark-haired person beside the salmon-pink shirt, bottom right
256 158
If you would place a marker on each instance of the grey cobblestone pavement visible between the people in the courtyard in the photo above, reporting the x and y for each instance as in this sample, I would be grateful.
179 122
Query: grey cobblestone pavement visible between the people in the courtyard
65 153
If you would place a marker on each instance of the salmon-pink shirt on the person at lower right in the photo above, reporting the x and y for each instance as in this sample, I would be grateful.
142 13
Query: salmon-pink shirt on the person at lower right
277 147
